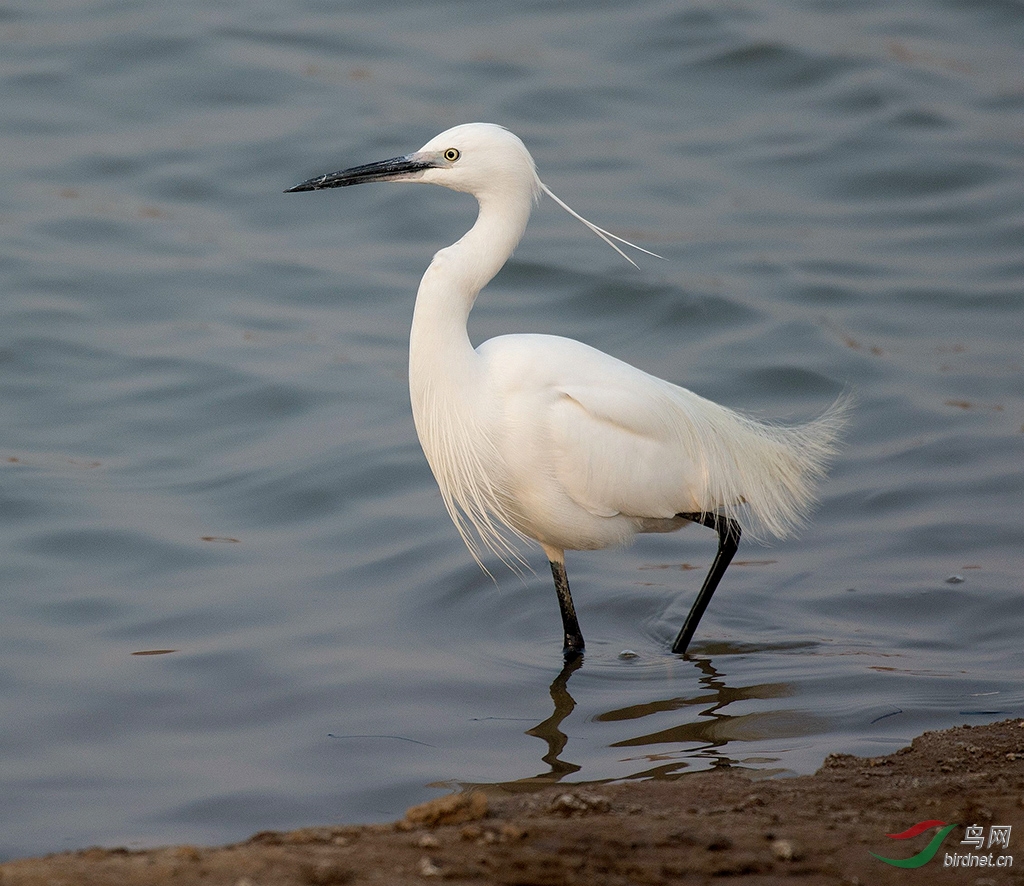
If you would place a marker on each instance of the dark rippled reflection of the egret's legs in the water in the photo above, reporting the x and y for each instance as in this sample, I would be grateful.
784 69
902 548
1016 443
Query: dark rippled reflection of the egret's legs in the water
704 738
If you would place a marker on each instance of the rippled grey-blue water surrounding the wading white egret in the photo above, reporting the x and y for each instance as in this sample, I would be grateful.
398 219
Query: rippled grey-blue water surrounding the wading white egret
206 442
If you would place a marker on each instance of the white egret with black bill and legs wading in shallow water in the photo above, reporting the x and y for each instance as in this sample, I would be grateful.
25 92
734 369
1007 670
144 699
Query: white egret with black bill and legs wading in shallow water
536 438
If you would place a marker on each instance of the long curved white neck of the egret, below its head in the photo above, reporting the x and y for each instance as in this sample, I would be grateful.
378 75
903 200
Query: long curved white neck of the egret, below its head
440 345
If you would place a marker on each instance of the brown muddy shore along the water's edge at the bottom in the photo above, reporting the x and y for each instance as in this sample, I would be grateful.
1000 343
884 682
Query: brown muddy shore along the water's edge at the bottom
719 827
